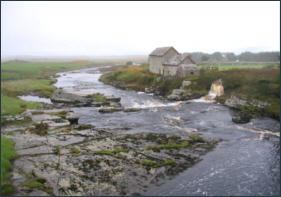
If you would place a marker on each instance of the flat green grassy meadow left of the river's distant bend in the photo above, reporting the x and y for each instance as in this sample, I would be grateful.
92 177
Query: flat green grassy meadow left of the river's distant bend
20 77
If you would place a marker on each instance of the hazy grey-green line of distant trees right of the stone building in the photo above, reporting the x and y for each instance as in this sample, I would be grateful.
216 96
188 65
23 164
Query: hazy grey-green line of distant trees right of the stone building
247 56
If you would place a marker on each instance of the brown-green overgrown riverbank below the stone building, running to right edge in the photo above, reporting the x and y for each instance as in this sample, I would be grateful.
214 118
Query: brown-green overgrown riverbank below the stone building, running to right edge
253 85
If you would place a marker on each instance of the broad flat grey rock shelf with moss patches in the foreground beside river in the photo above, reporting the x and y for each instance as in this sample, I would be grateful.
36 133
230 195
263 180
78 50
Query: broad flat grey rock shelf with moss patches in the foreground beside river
107 164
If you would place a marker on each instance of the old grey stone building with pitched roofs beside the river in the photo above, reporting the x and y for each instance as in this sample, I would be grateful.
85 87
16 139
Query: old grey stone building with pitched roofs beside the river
168 61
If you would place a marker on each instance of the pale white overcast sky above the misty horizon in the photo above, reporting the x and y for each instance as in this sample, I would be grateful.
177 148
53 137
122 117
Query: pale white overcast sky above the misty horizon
137 28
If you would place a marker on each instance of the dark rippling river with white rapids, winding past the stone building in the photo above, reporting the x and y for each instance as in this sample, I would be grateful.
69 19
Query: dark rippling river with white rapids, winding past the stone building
246 162
